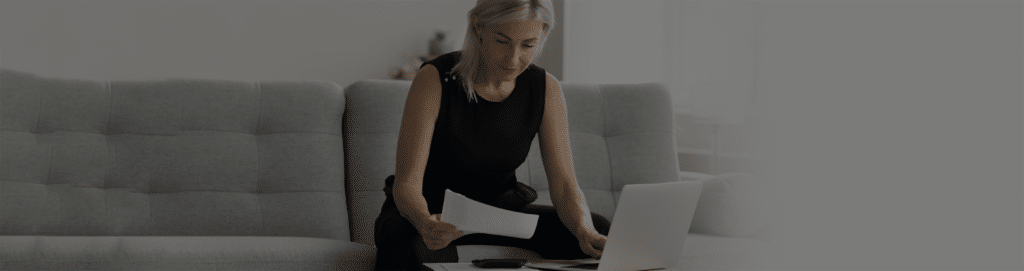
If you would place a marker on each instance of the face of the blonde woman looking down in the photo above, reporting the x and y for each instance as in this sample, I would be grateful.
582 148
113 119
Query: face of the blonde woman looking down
508 49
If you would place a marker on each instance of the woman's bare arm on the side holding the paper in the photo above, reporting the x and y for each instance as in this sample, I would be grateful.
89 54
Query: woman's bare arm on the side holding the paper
414 145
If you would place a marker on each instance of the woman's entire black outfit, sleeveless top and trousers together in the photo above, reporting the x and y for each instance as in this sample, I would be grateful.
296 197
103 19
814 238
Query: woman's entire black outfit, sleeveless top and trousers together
475 151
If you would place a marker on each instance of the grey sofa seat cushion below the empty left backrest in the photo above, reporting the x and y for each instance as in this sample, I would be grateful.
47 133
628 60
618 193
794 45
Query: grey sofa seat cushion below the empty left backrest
183 253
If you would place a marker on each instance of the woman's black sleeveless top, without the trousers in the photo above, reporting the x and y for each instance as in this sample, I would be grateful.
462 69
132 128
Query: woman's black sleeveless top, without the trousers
478 147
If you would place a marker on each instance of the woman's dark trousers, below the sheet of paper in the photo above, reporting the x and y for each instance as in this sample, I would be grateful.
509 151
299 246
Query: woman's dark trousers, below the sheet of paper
400 246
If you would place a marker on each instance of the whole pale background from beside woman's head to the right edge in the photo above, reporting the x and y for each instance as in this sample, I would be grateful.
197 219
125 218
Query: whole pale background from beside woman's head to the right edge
893 130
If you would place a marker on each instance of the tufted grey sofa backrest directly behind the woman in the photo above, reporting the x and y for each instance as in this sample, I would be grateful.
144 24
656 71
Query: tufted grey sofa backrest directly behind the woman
620 135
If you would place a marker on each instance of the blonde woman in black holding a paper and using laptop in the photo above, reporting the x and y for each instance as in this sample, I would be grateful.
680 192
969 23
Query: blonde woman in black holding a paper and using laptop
468 123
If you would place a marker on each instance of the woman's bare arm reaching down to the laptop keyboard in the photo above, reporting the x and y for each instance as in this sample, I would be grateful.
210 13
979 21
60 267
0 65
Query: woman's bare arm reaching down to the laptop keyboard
554 143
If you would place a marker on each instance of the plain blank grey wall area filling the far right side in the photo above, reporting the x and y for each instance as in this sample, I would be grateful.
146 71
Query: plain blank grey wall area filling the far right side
898 132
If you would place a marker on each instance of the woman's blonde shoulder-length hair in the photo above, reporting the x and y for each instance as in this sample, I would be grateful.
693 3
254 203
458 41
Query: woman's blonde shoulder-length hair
489 13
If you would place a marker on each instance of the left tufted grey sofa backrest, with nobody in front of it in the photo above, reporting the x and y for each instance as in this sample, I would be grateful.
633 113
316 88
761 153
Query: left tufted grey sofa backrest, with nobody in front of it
170 158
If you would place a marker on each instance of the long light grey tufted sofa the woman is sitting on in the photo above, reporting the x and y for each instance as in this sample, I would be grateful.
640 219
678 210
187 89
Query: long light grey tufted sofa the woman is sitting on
212 174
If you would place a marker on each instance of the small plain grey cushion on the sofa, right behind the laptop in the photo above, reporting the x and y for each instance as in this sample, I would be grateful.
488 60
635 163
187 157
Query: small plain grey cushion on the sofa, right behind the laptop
732 205
